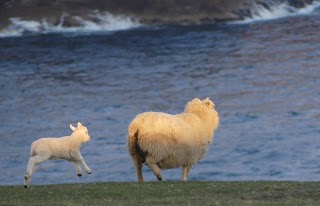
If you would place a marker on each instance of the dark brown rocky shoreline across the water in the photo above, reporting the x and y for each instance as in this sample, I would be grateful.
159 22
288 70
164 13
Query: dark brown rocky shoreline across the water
147 12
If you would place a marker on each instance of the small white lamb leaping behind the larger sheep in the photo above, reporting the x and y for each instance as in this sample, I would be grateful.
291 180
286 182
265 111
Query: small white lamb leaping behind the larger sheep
67 148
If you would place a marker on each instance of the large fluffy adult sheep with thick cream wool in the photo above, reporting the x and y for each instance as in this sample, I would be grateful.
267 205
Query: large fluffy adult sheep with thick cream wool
166 141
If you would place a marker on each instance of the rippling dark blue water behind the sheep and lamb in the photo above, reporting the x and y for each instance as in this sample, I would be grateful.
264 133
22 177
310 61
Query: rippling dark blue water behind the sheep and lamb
264 78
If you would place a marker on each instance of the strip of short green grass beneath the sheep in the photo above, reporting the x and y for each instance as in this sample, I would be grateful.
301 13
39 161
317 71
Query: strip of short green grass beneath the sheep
165 193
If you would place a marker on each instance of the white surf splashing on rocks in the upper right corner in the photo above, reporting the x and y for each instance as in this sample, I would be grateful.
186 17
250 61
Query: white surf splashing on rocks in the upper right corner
276 11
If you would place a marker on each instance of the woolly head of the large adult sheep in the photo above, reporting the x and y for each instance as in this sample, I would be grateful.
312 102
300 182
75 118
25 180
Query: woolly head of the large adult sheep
205 109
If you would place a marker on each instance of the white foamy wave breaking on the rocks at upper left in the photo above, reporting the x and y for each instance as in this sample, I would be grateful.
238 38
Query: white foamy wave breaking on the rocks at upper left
96 22
